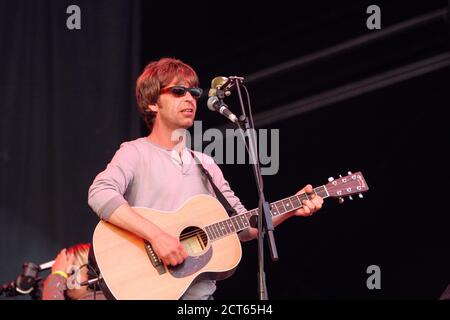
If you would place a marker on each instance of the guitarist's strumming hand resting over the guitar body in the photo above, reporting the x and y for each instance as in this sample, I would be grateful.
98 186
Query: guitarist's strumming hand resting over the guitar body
169 249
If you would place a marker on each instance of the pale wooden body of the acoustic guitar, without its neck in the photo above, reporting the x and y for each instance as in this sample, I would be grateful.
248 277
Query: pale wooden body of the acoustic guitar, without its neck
125 262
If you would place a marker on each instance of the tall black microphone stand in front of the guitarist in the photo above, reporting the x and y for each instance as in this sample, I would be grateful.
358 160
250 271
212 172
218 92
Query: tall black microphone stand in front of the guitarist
265 224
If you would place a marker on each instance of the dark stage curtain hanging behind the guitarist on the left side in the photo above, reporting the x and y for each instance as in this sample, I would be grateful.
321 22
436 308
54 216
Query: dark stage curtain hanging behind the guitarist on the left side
65 107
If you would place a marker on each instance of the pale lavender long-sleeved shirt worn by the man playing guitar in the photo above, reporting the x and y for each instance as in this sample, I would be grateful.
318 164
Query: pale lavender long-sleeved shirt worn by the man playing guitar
144 174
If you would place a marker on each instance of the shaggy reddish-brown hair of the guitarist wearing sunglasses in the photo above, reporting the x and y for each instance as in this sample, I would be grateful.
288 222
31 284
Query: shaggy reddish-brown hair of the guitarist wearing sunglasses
156 75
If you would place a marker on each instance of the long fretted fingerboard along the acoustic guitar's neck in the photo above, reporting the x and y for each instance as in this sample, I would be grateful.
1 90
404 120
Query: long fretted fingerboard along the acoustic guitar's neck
242 221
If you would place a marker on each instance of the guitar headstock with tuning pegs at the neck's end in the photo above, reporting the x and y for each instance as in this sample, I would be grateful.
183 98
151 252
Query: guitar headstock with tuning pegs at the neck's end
353 183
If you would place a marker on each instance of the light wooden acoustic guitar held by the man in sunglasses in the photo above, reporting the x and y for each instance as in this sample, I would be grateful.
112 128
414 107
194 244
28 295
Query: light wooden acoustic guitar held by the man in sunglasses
130 269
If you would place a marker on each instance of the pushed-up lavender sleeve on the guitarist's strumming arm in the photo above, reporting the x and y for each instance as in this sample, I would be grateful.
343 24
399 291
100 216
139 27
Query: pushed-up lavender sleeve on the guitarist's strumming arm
107 190
